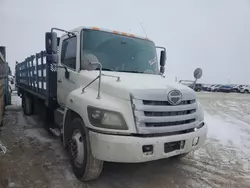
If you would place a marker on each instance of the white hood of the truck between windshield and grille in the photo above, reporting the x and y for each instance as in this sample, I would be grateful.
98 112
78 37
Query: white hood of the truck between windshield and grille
141 86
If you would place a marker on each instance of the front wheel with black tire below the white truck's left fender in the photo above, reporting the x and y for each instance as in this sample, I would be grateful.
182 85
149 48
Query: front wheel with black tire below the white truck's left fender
84 165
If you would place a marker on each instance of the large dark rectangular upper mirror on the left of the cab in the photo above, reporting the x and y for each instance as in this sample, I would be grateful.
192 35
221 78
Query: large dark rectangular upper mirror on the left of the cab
51 42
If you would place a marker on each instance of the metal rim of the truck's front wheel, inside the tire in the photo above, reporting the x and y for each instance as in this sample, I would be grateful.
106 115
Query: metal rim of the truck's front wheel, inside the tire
77 148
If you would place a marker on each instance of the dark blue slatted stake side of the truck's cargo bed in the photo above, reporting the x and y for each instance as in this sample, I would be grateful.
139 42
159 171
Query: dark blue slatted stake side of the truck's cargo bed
37 74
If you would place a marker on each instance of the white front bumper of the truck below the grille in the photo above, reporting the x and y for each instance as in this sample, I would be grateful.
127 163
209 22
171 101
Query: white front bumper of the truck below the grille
128 149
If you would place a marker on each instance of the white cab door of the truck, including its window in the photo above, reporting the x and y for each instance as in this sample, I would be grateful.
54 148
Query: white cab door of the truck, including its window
67 58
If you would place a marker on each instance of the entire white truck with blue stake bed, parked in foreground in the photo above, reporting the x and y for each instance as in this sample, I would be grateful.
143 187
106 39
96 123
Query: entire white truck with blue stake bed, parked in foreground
108 97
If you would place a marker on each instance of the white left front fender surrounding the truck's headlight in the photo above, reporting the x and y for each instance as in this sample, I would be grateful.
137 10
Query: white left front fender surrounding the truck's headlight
78 102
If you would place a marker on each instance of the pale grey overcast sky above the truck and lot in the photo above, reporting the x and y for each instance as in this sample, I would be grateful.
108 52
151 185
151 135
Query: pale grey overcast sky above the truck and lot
210 34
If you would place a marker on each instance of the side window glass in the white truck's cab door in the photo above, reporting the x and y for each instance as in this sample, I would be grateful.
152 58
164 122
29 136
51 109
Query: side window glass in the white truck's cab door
68 55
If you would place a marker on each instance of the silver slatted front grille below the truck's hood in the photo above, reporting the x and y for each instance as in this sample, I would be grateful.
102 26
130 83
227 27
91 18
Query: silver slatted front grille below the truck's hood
160 116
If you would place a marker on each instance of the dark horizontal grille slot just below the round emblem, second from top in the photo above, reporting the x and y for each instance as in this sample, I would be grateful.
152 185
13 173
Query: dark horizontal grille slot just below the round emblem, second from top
171 113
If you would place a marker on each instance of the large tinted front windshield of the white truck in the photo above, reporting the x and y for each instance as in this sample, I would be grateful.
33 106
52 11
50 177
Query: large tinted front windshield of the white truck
119 53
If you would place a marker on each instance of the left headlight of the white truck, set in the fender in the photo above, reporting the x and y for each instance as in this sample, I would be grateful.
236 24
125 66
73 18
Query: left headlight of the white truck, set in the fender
106 119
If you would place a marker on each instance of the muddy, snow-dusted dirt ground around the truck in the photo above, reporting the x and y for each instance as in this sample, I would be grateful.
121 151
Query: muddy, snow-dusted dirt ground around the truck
36 159
